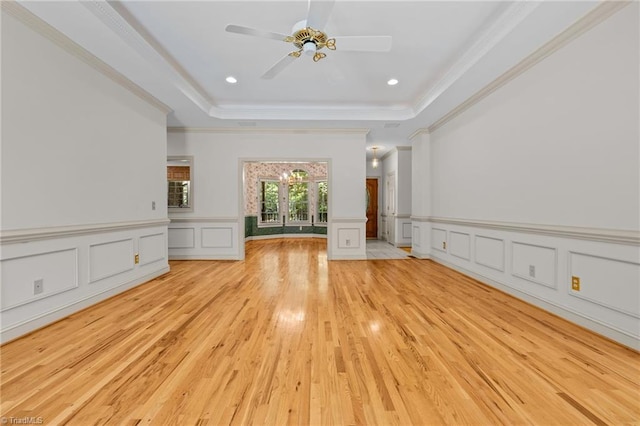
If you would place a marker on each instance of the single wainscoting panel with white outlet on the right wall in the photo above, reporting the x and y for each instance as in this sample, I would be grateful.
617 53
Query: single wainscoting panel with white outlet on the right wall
534 263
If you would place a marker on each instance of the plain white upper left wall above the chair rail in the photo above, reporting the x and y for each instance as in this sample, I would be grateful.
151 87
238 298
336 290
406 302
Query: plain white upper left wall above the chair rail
75 145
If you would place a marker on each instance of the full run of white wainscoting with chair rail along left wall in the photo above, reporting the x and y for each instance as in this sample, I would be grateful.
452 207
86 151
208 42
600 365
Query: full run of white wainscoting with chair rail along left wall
78 265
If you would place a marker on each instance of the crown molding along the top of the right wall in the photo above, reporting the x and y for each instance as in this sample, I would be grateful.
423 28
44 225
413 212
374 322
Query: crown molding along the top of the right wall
599 14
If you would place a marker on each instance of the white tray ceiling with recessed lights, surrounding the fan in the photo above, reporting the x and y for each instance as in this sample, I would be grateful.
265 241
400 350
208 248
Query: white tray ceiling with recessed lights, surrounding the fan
442 53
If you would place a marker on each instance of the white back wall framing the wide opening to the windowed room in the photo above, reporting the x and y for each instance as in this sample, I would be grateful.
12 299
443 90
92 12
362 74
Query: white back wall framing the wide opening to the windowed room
218 156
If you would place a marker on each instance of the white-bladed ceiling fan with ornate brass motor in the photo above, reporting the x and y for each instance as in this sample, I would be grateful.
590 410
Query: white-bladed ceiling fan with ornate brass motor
308 38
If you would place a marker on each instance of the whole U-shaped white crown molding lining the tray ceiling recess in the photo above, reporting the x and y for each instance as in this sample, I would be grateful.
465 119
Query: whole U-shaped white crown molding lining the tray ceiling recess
122 23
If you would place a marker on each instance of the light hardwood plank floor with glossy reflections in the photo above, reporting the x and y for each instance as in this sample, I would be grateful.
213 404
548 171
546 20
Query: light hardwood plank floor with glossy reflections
286 337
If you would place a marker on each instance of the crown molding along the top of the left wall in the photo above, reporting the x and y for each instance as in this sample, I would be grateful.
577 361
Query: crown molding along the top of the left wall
41 27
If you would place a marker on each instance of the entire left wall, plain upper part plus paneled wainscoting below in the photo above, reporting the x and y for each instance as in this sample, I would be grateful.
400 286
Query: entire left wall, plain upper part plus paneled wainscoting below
83 158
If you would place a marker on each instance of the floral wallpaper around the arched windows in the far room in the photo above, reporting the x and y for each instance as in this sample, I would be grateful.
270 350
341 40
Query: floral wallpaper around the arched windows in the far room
253 172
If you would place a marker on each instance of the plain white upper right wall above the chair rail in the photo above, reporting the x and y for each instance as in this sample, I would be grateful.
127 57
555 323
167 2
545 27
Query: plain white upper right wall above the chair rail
561 139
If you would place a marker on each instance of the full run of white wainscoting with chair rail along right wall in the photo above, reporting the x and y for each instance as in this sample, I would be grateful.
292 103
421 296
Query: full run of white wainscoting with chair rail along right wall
540 262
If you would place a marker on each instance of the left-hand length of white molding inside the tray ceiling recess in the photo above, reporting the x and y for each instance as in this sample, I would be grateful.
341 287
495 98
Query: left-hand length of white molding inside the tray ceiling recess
147 49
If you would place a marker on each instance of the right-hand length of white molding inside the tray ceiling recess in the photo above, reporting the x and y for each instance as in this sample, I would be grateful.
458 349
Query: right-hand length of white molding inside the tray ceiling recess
511 18
